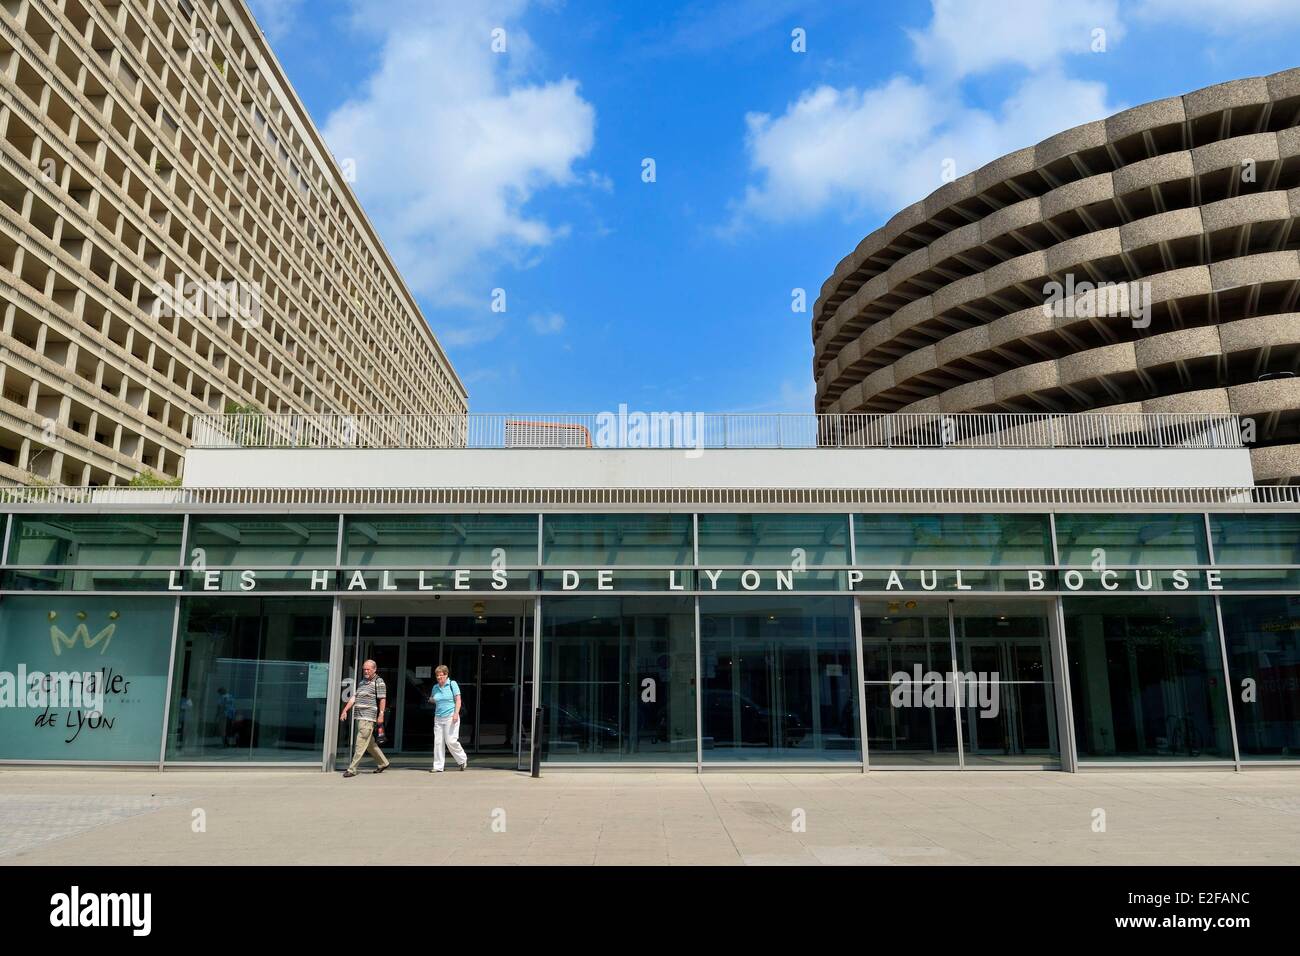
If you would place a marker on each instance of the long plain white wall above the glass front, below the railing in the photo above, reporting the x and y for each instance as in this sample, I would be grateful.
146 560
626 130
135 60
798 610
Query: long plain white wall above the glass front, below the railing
717 469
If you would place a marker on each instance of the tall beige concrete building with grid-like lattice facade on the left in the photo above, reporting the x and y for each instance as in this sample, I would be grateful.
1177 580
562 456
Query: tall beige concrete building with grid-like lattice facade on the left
153 149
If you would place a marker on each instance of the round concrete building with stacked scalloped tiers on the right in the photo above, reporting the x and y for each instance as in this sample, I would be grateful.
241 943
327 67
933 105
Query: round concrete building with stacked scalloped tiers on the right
995 292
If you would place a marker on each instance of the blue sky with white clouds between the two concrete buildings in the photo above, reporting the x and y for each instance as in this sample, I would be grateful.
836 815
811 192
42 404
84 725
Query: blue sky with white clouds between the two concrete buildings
523 170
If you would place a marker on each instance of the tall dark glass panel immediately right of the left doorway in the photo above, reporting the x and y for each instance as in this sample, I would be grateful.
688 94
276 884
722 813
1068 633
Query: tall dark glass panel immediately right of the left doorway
618 680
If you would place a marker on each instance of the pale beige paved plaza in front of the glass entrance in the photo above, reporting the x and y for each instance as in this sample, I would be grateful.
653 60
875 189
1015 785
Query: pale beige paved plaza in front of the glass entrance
484 816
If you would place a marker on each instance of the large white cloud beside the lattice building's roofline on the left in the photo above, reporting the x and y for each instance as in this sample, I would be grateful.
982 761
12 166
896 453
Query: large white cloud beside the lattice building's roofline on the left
452 142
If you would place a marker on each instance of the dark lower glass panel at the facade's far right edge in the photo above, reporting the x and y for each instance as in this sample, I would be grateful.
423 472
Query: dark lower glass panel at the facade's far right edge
1263 637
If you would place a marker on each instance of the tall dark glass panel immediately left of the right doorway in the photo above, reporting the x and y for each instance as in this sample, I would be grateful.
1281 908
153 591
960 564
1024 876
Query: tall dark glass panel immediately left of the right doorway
779 680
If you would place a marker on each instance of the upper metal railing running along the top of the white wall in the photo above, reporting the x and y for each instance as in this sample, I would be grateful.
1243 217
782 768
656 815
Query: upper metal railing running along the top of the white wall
721 431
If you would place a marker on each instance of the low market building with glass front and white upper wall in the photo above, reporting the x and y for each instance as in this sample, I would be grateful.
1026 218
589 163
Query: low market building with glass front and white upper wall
757 598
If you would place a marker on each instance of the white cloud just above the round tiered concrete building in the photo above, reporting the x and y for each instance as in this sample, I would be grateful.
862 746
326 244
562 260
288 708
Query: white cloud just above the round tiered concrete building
883 148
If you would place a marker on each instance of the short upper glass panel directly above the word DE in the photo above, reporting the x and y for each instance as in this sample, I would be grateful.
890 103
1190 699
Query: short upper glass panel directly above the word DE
612 540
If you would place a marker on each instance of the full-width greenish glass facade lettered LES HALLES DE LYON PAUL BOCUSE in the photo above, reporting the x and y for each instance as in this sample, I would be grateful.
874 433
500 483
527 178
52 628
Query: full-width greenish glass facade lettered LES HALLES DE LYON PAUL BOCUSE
864 639
